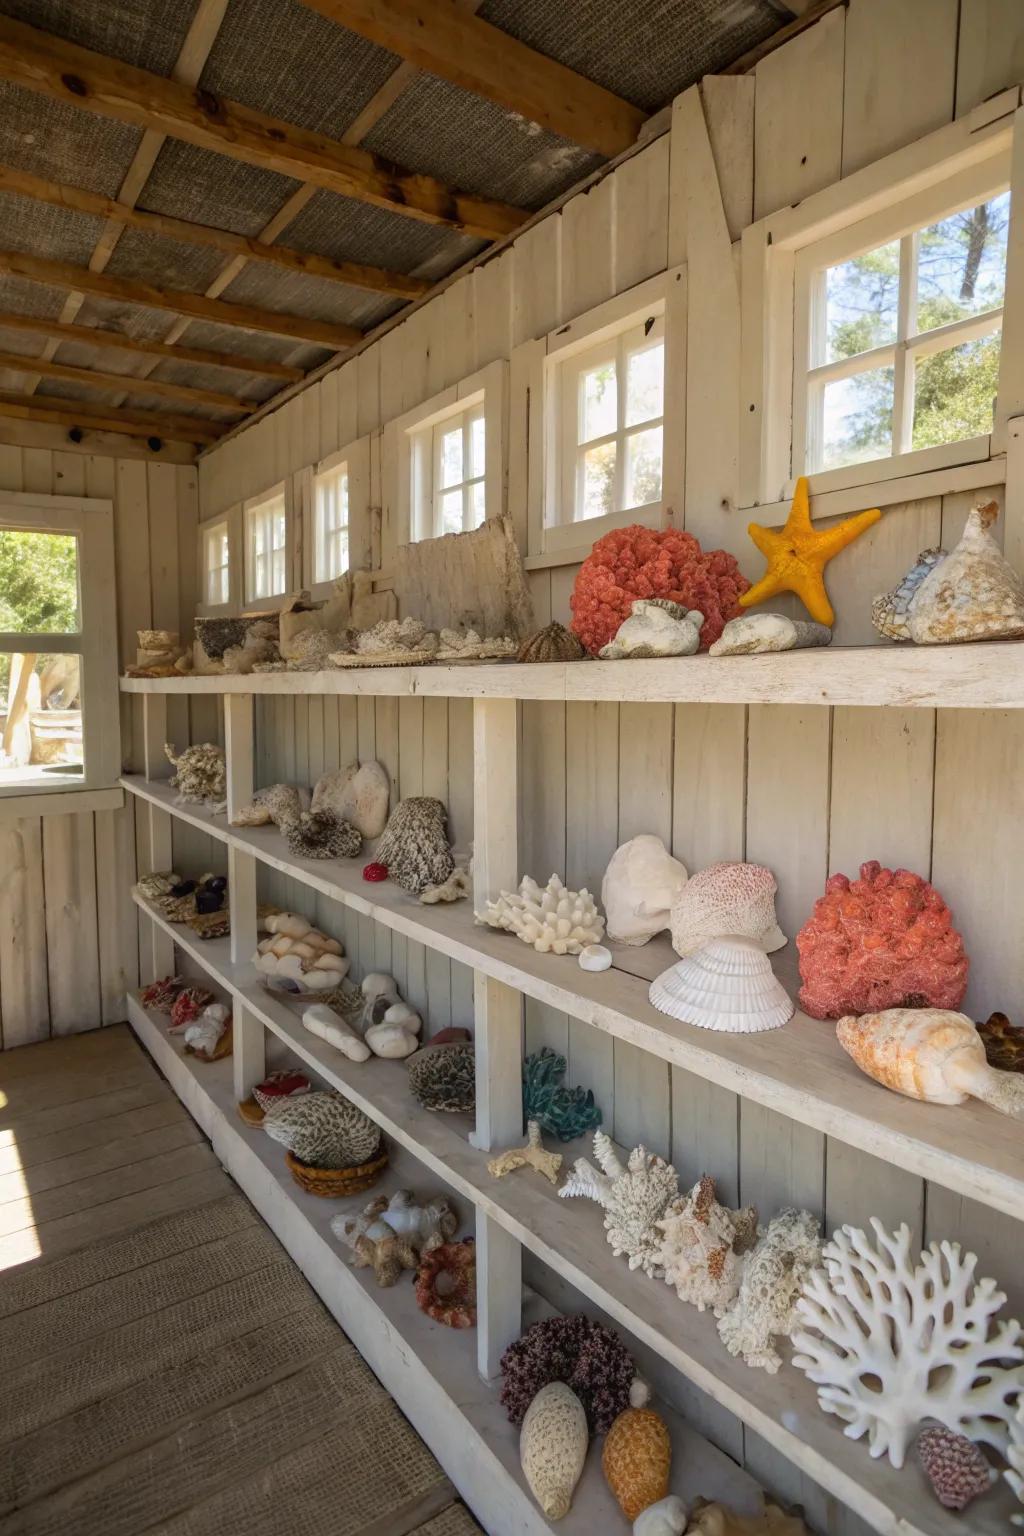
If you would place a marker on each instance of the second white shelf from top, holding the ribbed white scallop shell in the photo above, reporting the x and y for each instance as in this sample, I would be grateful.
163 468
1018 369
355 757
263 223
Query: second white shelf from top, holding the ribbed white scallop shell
799 1071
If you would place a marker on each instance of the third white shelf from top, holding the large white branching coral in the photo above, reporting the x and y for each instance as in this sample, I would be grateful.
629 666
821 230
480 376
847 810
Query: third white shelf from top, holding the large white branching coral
570 1240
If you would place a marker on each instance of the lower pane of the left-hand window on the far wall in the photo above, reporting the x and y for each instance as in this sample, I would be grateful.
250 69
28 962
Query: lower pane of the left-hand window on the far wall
42 695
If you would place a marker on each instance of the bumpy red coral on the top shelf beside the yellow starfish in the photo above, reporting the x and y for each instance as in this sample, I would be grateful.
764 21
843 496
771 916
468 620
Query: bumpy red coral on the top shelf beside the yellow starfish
642 563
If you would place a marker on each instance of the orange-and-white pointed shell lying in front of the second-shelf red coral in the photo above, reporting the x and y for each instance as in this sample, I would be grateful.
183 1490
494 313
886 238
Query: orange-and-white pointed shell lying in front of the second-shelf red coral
930 1054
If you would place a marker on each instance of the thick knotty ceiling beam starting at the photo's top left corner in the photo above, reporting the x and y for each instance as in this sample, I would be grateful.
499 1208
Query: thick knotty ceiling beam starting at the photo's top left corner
96 84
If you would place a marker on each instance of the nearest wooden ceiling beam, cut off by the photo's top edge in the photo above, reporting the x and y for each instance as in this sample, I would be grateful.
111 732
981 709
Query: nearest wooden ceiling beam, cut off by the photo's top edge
441 38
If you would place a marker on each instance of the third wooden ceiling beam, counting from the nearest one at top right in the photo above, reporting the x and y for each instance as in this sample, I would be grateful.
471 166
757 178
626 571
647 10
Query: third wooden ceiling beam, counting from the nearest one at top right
355 274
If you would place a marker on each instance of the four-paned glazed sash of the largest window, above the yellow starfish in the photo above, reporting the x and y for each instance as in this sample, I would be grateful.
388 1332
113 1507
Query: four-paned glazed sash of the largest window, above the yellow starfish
900 348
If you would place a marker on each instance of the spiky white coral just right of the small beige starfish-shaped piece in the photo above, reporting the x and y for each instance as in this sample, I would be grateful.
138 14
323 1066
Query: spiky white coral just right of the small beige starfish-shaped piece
633 1199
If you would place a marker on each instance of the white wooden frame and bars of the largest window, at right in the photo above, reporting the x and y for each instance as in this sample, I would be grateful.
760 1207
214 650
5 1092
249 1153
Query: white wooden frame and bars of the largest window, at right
782 256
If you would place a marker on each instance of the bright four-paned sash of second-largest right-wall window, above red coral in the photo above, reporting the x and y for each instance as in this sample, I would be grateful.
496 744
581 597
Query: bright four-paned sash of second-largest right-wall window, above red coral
612 402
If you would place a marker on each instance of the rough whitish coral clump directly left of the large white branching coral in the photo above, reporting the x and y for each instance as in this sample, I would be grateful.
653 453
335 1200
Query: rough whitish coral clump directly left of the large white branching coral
775 1276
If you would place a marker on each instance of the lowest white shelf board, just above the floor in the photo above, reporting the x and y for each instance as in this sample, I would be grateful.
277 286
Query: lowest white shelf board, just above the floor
431 1371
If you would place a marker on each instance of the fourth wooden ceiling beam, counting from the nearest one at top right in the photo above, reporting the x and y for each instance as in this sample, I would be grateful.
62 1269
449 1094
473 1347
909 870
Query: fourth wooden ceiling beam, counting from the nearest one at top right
194 306
